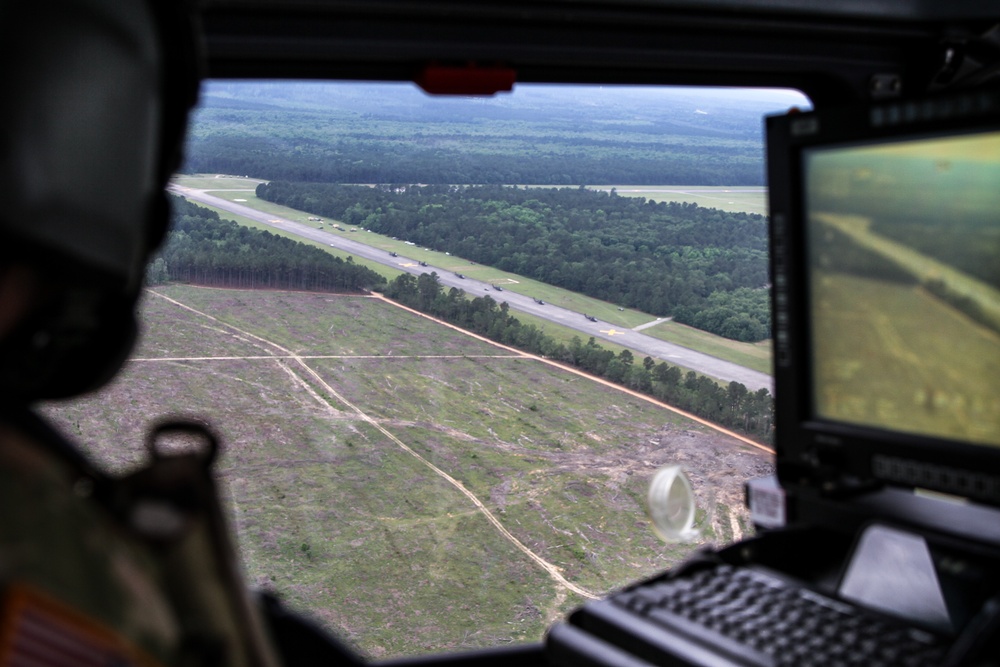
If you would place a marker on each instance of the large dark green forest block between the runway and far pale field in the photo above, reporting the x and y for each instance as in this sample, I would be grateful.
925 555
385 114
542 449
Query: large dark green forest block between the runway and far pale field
704 267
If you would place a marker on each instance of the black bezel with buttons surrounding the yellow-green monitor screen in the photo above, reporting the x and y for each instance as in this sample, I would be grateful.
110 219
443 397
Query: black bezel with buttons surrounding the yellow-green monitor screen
838 457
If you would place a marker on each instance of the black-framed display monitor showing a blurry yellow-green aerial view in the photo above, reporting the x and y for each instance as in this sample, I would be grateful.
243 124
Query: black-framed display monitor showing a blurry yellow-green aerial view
886 272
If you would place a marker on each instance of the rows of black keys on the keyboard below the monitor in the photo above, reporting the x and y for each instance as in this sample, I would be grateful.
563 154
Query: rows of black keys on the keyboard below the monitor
758 619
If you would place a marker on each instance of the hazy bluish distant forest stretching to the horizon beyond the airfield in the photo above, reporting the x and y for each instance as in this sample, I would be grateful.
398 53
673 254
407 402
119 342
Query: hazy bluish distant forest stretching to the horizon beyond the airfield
350 133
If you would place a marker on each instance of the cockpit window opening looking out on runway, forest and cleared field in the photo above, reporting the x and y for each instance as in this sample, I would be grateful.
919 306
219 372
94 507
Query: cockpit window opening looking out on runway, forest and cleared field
448 342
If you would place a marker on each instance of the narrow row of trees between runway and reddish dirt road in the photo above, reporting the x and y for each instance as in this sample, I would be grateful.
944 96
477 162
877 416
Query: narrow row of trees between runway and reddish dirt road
733 406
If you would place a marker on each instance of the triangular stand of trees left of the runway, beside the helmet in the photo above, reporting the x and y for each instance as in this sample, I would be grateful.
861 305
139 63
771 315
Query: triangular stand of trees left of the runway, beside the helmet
203 249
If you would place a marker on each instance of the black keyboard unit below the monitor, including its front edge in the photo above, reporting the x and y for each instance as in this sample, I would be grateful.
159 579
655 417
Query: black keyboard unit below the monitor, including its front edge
724 615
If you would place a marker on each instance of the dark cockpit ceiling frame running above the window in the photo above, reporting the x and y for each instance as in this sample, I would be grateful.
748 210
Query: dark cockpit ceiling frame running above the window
830 50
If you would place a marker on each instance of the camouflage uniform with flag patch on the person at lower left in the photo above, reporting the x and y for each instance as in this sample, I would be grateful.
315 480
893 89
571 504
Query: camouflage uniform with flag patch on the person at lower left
98 571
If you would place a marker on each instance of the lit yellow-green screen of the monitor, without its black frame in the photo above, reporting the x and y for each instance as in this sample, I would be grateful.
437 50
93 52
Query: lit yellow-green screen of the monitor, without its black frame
903 241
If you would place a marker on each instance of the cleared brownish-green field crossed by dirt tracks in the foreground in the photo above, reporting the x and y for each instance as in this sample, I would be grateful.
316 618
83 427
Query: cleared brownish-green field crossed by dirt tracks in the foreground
371 455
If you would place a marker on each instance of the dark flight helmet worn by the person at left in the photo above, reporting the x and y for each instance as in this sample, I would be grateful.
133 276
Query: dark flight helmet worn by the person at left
96 99
